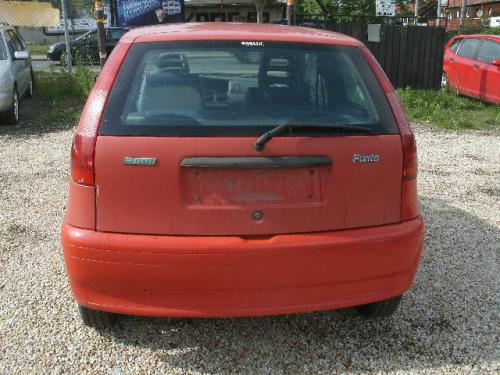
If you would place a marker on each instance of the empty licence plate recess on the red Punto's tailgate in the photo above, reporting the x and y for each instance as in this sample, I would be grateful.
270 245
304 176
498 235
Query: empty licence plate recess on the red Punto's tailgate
247 185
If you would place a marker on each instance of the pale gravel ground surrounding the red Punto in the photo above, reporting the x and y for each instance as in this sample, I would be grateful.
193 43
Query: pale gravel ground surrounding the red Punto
448 322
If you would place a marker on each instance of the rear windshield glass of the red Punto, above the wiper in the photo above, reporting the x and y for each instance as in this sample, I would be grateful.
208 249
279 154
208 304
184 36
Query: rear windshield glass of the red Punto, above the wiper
242 88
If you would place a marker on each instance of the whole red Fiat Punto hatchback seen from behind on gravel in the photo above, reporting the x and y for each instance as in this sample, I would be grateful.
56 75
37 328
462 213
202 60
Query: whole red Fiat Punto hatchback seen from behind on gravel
207 186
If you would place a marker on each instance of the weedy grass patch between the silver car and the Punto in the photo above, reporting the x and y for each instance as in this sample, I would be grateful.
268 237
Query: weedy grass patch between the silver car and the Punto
59 97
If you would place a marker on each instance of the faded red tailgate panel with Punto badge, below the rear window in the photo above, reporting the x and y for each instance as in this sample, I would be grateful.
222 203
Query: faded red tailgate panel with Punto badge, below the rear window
221 186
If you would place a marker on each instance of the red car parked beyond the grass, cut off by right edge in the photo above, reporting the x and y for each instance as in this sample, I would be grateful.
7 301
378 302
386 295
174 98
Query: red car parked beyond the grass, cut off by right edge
472 66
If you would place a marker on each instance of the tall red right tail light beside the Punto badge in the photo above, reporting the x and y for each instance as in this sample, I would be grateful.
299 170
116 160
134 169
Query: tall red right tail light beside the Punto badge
409 199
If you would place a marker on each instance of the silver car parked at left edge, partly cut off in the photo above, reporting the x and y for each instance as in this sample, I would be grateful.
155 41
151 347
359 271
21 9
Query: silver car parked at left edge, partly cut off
16 73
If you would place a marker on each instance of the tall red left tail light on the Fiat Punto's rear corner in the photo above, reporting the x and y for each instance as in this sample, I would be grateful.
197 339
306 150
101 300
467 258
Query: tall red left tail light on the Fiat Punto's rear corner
82 151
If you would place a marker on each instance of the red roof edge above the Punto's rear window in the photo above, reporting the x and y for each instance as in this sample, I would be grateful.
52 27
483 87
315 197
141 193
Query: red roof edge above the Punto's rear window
236 31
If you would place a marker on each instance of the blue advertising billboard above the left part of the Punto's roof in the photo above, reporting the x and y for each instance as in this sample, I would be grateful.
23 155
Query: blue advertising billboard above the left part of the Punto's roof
149 12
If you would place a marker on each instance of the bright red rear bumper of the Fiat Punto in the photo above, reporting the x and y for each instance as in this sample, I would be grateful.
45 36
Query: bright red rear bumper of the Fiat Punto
234 276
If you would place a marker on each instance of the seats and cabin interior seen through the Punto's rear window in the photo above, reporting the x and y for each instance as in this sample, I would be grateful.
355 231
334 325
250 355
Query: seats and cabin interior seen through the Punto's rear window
179 85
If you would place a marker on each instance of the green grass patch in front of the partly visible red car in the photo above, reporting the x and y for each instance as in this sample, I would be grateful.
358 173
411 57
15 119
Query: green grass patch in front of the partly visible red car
447 109
